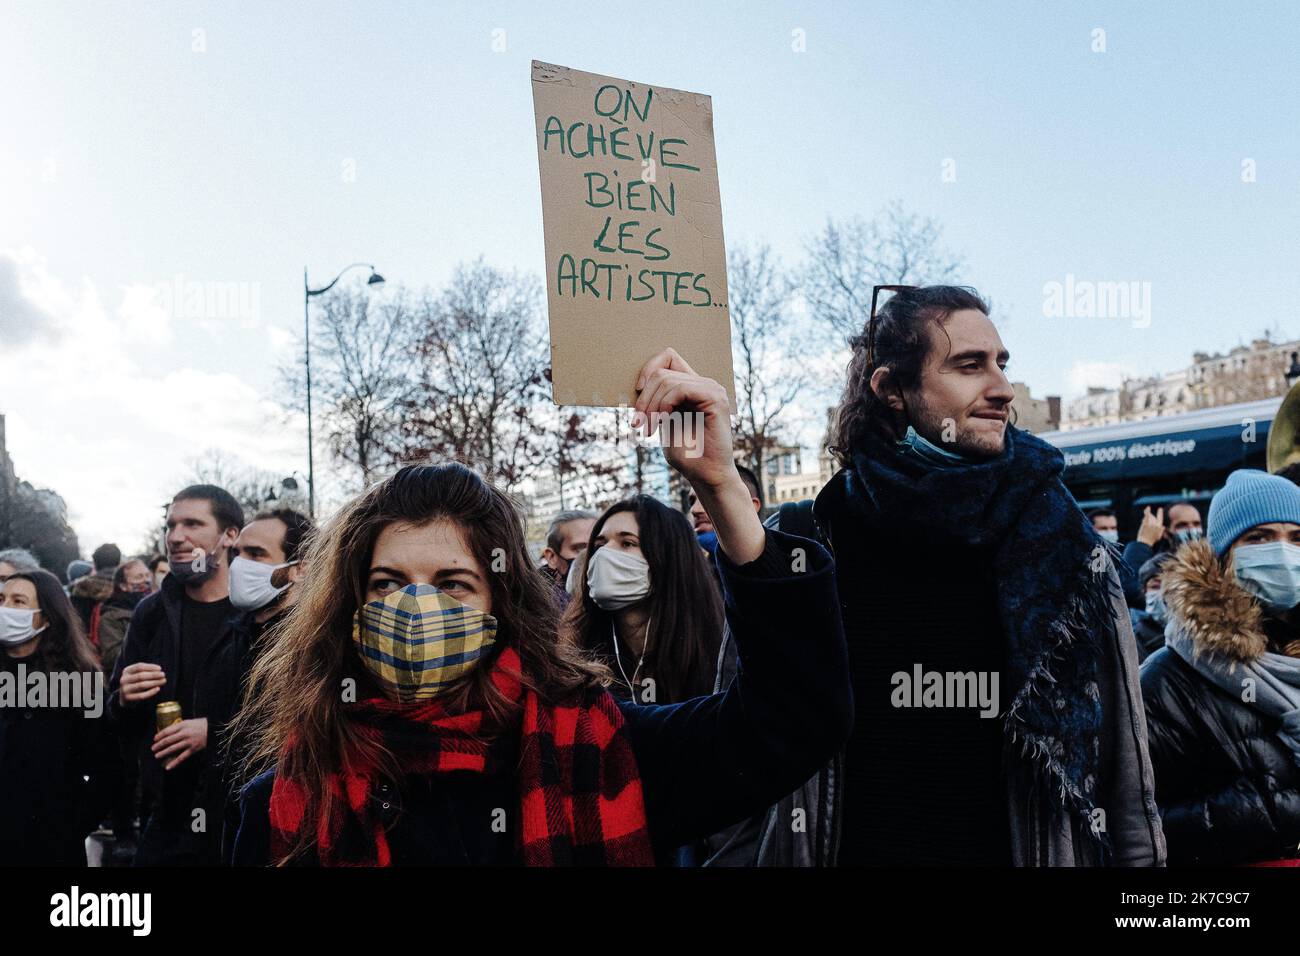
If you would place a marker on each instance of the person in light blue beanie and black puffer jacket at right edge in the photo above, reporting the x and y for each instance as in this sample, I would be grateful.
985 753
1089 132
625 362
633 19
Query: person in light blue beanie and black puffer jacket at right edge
1223 697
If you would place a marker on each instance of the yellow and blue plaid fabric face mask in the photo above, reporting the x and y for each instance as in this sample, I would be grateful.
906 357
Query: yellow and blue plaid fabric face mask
418 641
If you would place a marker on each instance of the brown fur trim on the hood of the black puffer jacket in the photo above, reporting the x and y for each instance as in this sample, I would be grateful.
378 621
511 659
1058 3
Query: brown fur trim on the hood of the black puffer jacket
1206 602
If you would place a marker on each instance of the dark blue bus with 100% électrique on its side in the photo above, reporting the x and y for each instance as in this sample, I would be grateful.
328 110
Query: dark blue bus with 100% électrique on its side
1155 462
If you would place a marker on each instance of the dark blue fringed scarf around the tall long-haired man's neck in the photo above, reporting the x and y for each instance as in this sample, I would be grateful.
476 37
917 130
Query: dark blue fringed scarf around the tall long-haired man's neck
1054 589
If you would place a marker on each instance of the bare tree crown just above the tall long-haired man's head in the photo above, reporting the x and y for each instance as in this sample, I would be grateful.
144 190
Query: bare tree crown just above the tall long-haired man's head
847 259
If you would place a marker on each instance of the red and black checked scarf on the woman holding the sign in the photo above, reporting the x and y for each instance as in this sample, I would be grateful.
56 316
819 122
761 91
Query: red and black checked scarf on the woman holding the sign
579 786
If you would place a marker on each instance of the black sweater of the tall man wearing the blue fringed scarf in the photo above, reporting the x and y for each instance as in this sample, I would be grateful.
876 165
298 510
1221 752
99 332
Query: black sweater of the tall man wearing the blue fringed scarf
924 786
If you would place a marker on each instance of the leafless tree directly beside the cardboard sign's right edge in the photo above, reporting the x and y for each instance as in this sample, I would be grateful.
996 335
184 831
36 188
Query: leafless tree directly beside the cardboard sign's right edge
766 352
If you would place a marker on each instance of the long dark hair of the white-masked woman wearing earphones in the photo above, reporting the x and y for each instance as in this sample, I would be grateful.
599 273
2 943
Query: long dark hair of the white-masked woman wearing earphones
687 609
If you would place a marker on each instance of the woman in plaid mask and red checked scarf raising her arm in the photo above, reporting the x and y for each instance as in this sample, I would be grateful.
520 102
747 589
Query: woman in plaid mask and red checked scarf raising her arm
419 708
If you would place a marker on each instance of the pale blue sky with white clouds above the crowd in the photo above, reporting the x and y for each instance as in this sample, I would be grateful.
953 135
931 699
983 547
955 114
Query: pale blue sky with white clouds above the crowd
155 144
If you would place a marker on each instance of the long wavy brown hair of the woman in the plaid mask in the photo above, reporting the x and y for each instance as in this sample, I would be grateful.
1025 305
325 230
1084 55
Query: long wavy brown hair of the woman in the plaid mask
294 716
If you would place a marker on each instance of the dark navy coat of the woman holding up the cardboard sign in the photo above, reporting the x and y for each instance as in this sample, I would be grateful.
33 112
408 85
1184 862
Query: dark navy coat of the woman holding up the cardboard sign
705 764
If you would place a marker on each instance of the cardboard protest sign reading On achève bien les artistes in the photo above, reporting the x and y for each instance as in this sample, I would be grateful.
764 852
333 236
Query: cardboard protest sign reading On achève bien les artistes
635 256
